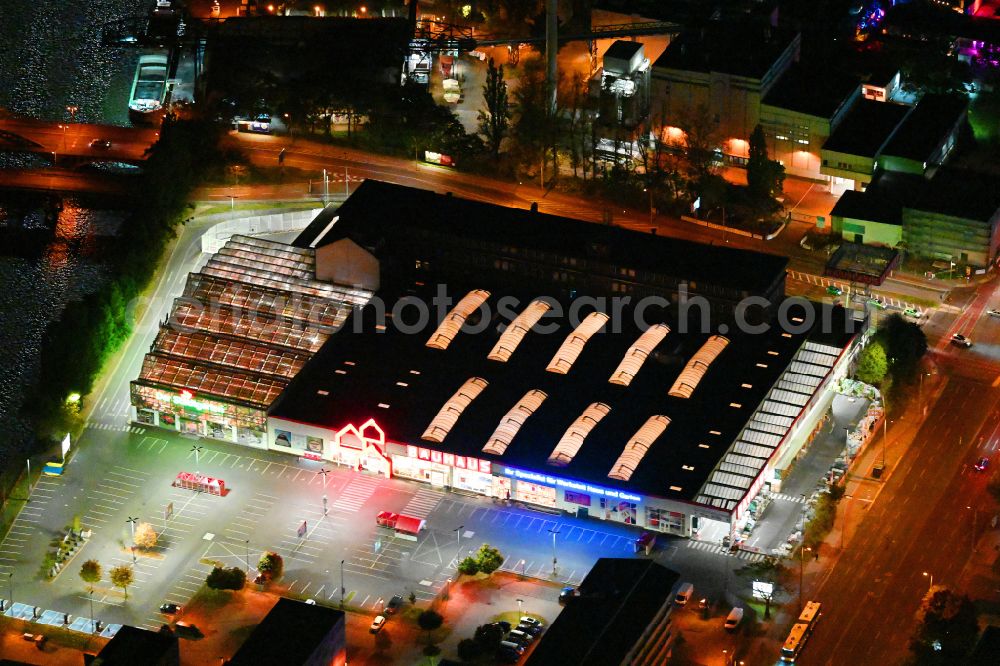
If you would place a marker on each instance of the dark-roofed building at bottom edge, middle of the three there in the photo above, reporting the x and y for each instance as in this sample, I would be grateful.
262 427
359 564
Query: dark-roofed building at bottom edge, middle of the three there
295 633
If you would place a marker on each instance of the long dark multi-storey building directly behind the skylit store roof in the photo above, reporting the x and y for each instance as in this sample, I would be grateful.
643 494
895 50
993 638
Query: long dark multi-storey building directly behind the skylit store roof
417 234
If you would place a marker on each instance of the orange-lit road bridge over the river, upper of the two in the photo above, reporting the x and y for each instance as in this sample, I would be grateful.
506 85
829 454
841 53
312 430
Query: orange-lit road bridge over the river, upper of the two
69 144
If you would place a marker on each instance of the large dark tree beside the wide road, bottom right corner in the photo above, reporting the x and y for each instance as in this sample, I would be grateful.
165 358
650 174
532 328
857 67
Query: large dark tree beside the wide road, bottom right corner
946 627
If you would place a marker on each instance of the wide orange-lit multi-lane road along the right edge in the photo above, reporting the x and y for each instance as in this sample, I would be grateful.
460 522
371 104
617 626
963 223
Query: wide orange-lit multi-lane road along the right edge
928 513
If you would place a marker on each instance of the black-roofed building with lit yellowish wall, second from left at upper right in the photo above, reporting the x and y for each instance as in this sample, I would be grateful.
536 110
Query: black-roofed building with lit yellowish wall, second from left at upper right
801 111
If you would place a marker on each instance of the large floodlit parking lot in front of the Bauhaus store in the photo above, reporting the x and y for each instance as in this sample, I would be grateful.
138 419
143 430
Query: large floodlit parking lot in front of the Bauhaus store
323 525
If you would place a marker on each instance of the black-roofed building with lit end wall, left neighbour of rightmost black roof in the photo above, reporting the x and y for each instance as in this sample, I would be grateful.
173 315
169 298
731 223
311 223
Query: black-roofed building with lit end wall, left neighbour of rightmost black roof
853 149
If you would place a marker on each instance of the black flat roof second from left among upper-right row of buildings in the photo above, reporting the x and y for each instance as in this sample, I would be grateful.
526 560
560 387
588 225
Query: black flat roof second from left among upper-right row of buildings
813 92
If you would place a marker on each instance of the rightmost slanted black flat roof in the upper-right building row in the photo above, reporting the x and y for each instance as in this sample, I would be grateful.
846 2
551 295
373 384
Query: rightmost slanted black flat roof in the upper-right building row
927 126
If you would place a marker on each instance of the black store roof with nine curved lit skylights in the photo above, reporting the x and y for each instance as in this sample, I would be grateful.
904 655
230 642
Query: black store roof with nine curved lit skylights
609 386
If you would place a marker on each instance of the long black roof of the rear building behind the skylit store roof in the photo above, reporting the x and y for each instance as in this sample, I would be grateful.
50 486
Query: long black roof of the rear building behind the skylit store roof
378 215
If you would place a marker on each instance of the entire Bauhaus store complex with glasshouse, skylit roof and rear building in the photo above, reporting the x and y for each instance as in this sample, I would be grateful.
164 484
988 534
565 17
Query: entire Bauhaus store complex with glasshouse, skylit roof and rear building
565 367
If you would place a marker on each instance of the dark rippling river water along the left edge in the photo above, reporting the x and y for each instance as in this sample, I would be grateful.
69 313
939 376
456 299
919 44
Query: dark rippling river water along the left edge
51 57
